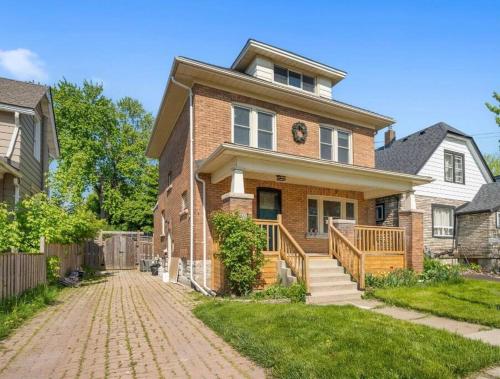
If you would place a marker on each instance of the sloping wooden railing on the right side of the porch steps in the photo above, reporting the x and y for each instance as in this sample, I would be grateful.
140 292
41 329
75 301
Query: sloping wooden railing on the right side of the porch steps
348 255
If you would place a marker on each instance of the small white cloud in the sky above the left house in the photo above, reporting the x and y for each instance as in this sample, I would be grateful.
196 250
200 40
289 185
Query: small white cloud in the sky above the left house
23 64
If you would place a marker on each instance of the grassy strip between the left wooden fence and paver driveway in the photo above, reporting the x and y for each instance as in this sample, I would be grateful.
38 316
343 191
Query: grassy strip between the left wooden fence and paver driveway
15 310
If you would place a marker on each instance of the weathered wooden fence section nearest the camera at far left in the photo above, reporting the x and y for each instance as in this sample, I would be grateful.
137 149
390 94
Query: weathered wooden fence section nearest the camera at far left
20 272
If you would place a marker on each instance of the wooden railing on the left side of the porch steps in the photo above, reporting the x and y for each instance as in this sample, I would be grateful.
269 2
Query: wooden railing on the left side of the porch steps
279 239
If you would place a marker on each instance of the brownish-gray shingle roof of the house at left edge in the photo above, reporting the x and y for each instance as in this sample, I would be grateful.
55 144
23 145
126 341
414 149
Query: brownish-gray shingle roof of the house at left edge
21 94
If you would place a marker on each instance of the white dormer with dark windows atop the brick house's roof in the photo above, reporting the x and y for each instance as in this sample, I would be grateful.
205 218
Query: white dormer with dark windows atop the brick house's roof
280 66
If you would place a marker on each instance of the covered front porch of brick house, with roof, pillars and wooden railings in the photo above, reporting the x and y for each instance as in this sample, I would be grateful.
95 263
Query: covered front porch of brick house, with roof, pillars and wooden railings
315 209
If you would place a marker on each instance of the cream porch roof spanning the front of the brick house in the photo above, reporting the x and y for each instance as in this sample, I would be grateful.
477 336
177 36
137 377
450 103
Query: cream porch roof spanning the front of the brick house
274 166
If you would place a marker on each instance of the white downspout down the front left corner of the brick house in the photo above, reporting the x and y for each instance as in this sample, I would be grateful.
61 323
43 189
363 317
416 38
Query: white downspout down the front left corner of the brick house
199 287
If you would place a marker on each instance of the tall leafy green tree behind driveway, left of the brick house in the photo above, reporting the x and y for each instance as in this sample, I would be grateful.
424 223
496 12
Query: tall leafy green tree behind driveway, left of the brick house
102 161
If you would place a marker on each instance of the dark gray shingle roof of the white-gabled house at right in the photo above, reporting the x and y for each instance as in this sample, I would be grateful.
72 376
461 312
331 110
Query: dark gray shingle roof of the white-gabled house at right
410 153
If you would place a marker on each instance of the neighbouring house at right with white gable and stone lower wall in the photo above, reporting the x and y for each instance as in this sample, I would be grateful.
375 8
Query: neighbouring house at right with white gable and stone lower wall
454 161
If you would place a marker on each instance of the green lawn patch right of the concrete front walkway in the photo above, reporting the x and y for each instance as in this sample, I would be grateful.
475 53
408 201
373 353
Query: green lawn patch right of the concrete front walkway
476 301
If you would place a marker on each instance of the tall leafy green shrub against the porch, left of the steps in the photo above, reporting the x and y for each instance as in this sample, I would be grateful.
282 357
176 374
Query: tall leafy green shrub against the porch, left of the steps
241 242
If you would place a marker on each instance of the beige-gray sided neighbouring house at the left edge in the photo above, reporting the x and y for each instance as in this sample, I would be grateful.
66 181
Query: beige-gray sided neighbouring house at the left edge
28 139
